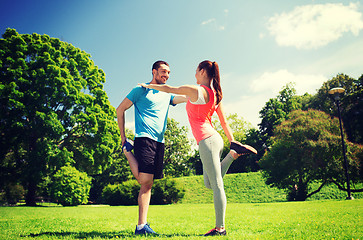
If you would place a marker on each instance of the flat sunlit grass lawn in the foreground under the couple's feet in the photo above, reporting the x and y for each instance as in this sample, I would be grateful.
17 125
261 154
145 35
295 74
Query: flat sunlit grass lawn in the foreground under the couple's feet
283 220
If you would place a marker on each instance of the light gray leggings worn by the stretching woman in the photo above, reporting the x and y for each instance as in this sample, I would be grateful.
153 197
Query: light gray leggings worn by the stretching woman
210 150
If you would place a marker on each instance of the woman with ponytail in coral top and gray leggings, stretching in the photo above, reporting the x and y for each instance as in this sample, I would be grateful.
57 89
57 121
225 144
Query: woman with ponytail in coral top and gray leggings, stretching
203 101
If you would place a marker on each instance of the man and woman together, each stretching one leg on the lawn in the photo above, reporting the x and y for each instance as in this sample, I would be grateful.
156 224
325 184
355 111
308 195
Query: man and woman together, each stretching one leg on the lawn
151 103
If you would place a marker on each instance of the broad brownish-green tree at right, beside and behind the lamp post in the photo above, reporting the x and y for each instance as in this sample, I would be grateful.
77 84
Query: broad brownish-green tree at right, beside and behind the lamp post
307 148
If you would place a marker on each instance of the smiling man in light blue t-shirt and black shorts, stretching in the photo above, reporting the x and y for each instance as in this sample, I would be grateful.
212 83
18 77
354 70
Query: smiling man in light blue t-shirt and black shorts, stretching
151 112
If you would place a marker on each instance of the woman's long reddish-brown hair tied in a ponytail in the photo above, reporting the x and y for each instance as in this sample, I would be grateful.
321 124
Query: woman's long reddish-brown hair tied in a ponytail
212 70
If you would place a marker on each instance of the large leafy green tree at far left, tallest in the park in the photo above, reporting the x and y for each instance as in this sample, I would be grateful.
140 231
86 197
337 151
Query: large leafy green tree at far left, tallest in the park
53 110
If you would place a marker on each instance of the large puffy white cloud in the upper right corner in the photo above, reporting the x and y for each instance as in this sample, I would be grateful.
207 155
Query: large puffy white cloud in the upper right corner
313 26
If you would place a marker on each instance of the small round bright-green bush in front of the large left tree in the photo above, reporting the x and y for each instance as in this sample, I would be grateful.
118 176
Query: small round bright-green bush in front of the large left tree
70 187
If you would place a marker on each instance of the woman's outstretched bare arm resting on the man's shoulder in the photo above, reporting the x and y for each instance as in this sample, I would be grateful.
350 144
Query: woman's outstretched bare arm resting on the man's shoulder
187 90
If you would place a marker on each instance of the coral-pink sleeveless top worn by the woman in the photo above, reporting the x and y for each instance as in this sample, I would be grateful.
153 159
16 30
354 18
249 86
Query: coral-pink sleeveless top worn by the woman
200 117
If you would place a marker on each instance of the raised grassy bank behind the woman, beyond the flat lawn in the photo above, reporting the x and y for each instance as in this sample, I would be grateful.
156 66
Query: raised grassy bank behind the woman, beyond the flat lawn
250 188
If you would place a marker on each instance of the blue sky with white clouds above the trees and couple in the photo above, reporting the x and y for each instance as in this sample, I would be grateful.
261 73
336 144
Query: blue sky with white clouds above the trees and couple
260 45
